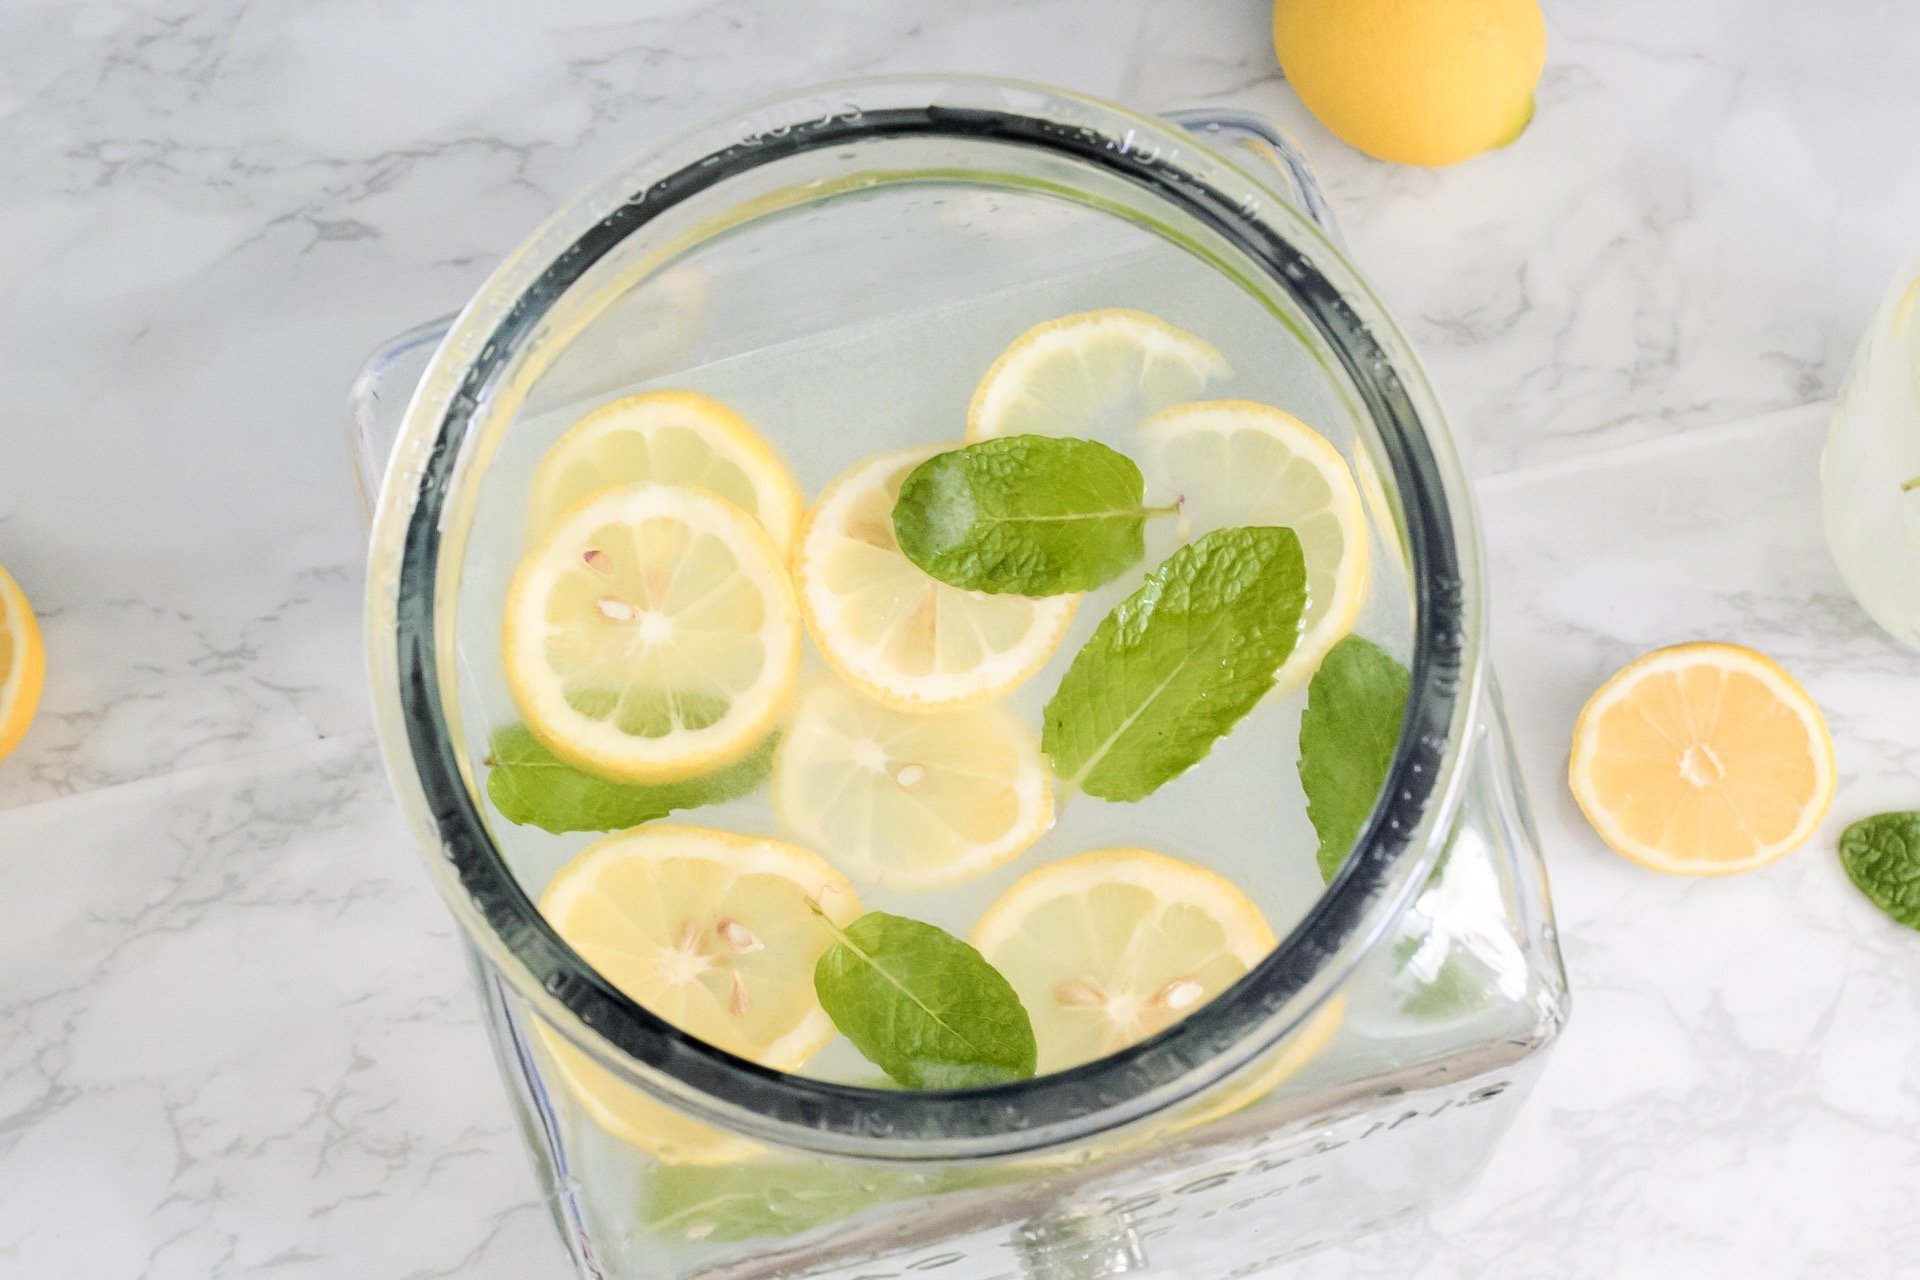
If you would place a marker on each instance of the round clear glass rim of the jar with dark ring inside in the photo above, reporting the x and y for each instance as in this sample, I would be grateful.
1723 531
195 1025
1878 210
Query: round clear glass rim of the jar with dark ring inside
408 630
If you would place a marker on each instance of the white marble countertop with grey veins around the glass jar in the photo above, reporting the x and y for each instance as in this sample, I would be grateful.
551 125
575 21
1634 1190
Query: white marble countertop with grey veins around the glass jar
235 1030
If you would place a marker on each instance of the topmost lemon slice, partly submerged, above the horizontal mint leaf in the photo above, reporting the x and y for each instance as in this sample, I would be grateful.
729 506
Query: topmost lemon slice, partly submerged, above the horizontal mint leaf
1092 375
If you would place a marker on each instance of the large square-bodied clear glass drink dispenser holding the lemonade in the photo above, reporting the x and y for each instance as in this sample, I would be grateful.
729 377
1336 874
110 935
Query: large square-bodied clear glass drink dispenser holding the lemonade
1362 1072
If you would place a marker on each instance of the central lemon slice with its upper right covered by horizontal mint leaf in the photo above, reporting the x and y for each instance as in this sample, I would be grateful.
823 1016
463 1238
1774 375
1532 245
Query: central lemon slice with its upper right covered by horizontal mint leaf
898 634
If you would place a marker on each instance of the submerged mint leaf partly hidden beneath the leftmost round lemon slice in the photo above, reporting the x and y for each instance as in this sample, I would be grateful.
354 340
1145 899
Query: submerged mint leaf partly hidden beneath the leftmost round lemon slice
535 788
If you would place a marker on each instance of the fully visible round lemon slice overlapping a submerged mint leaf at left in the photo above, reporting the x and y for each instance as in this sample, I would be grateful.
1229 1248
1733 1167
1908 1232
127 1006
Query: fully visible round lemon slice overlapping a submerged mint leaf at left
652 636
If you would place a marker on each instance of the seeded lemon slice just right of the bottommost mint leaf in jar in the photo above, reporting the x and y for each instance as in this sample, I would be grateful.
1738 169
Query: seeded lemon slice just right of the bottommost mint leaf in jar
1113 947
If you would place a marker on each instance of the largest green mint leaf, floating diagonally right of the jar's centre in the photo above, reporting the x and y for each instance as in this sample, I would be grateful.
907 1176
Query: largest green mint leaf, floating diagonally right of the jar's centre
1178 663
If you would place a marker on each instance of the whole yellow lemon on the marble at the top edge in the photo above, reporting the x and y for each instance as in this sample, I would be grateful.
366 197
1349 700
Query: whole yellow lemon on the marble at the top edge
1414 82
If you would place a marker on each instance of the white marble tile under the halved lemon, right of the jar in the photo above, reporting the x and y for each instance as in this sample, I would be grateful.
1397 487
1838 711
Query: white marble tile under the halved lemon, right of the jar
1735 1093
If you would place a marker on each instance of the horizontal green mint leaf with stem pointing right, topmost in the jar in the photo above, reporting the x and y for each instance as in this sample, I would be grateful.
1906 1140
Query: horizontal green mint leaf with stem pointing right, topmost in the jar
1024 515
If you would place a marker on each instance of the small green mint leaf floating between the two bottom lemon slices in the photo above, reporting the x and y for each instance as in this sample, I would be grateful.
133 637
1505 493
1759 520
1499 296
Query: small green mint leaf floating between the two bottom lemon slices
924 1007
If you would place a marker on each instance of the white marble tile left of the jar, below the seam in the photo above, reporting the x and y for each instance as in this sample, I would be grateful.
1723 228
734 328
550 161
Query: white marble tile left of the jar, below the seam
237 1039
